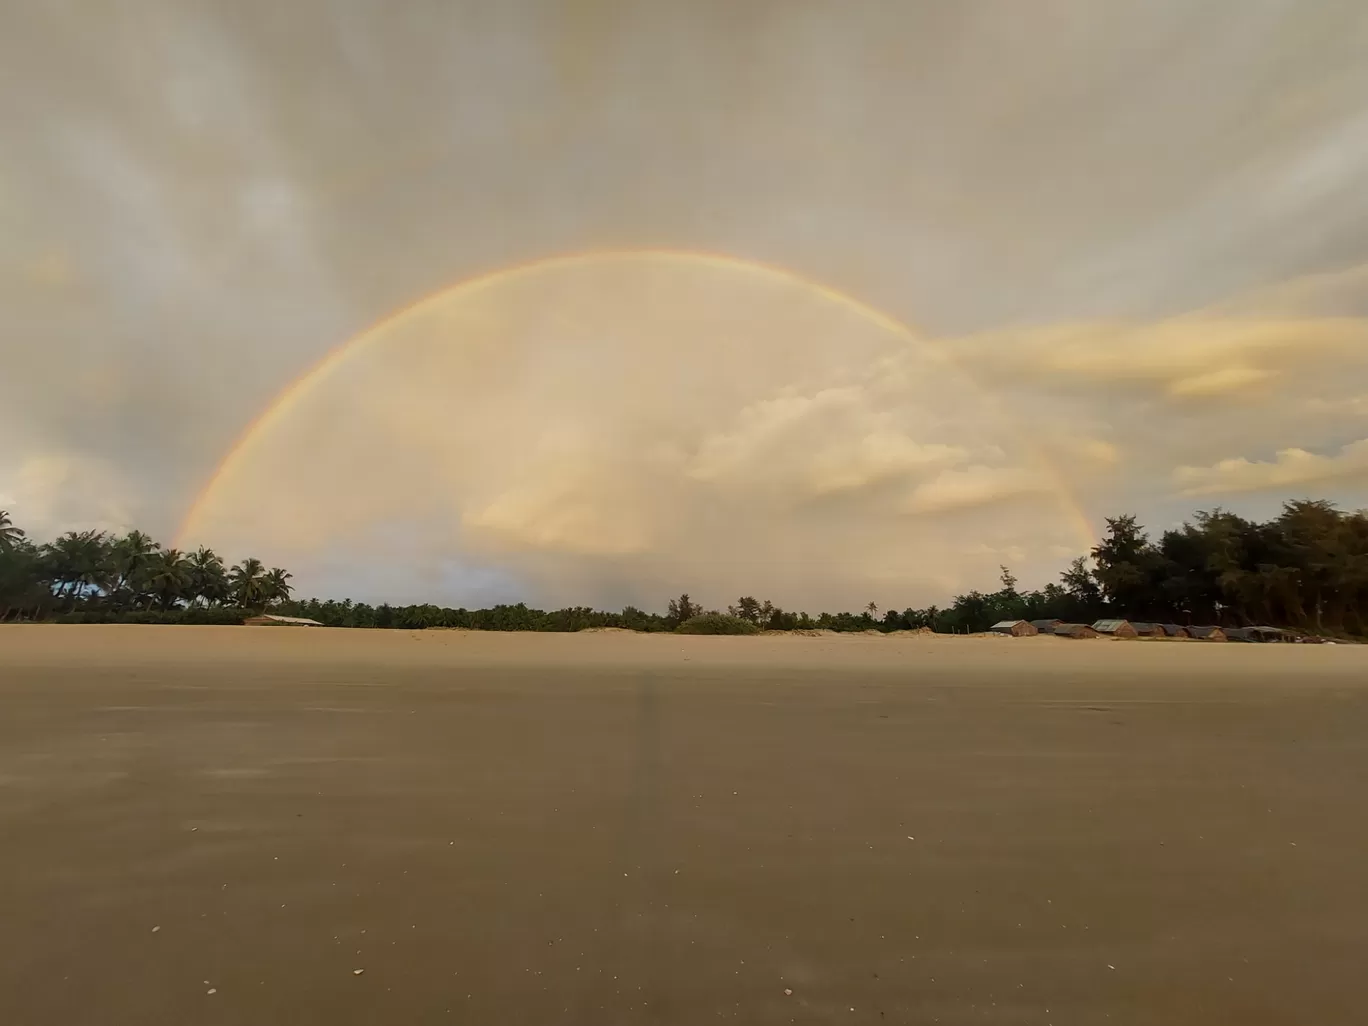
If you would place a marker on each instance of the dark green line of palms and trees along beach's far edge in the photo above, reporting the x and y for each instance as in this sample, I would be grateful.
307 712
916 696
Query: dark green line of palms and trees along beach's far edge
1306 570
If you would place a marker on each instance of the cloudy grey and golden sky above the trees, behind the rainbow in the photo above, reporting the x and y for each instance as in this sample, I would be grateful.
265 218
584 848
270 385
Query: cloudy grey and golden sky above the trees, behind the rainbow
1137 228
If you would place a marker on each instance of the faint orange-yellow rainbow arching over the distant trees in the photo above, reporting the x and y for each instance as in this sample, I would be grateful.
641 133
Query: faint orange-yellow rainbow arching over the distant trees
291 396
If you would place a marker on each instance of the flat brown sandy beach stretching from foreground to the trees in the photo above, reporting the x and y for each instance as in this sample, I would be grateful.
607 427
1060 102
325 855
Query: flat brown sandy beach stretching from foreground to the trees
222 826
